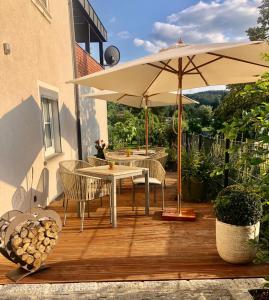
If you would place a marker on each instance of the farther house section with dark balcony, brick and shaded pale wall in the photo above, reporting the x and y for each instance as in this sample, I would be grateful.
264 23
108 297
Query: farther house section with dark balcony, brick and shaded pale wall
90 34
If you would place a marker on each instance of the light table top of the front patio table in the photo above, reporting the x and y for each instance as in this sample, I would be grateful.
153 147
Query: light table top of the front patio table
117 170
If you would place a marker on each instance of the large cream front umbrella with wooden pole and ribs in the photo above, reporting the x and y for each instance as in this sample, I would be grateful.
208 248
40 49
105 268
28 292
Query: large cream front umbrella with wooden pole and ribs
184 67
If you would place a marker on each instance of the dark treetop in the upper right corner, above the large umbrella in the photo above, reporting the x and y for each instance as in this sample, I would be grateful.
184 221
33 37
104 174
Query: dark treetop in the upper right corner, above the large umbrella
261 32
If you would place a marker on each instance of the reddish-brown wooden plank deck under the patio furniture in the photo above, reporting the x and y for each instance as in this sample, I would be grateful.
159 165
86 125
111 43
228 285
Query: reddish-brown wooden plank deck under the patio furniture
140 248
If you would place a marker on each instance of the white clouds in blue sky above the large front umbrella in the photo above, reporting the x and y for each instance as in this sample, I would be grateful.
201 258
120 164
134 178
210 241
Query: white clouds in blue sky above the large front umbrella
215 21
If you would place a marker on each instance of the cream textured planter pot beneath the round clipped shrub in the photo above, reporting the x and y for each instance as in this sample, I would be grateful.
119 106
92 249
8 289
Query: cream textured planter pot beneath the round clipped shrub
233 242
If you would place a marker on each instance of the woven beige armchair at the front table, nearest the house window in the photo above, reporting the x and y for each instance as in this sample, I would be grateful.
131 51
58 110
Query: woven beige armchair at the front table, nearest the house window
83 188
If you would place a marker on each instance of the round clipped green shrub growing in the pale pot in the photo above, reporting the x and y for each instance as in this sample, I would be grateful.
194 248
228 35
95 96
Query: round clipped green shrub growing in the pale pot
236 205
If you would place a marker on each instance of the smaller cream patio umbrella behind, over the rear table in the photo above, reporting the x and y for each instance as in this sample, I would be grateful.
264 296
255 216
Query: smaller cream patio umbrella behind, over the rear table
155 100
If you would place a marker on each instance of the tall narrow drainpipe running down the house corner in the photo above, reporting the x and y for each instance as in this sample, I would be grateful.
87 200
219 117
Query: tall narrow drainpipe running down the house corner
76 88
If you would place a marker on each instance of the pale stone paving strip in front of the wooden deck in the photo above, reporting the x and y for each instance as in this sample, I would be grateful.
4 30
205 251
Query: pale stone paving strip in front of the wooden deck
223 289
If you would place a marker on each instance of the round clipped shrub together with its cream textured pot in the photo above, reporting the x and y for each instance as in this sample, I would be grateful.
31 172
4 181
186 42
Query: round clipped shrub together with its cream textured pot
238 212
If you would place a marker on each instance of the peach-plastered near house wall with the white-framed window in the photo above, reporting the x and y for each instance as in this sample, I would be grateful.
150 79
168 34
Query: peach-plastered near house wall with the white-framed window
39 111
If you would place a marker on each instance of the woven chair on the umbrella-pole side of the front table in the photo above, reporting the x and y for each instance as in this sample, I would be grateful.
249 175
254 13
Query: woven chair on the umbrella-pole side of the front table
156 177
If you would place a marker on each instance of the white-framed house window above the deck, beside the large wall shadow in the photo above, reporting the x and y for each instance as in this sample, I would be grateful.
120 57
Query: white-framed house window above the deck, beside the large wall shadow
50 122
